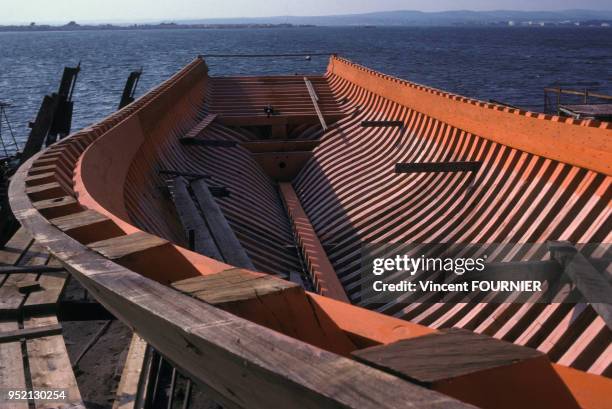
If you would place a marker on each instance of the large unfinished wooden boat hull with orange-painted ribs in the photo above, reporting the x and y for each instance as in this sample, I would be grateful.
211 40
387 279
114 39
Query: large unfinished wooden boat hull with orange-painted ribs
224 220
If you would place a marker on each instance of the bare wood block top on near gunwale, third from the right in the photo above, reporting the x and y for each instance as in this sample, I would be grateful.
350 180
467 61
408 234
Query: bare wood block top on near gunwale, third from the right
118 247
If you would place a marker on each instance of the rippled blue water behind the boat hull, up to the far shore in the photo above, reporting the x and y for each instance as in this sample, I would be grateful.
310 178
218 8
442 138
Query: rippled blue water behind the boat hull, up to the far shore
507 64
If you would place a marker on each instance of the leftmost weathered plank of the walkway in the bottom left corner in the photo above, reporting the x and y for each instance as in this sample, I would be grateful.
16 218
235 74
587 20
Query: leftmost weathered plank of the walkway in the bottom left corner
12 375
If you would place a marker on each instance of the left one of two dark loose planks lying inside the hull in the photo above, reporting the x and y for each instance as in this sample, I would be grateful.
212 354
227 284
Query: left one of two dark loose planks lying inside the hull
192 220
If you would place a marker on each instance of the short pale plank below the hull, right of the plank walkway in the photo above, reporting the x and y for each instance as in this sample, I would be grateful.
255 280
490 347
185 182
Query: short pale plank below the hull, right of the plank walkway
127 391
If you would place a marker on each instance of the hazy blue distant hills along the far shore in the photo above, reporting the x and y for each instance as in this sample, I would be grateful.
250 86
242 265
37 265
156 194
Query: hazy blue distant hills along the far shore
419 18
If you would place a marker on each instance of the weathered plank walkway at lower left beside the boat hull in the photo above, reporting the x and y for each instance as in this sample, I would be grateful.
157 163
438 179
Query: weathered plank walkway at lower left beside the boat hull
46 355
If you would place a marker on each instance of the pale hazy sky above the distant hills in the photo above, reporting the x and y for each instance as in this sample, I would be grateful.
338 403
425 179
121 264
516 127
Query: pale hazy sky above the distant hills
12 11
